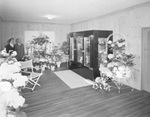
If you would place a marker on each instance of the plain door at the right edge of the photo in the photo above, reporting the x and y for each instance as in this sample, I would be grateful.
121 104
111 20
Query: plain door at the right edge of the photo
145 79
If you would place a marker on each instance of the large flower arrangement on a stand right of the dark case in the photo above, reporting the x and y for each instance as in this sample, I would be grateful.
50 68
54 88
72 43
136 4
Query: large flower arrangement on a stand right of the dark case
117 66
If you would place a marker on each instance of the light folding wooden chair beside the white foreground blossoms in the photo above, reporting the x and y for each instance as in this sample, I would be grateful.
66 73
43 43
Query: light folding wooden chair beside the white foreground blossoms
33 77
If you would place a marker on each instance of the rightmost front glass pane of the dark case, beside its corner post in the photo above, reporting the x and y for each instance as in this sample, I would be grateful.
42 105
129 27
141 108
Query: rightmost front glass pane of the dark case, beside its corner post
87 51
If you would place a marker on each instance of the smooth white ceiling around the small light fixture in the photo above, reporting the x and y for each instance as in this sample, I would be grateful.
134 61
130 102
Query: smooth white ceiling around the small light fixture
67 11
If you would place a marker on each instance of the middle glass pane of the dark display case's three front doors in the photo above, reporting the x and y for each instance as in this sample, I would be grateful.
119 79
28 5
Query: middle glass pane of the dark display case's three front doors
80 49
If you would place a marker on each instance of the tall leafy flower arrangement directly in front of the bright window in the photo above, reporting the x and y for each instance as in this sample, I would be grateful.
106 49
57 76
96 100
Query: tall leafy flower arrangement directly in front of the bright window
36 50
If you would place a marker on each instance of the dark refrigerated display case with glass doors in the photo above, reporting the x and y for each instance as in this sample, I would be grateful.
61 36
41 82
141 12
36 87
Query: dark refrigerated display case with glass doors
85 47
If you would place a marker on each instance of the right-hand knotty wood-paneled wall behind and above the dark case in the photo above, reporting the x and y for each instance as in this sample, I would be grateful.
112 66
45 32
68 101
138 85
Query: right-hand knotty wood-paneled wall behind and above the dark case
127 22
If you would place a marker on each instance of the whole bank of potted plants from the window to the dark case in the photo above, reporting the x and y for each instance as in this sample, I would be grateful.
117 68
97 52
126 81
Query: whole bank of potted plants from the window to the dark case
45 53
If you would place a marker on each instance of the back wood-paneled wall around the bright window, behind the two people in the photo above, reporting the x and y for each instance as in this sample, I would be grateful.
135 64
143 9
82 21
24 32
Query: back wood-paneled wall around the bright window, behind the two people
17 29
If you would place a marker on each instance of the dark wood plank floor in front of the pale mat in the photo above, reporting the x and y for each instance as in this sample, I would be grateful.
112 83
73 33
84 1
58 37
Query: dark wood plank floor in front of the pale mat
55 99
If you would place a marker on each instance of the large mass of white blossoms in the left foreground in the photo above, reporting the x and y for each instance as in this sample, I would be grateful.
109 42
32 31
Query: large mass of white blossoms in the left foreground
11 81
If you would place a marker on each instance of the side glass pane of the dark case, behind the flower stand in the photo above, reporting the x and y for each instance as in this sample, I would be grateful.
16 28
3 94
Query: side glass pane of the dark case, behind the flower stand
101 48
